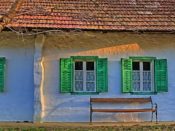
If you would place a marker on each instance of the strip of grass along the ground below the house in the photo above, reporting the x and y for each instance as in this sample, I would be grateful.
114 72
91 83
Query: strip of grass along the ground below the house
101 128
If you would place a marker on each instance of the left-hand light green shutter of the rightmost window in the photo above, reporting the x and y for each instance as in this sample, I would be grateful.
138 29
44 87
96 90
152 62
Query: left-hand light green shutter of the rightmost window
126 75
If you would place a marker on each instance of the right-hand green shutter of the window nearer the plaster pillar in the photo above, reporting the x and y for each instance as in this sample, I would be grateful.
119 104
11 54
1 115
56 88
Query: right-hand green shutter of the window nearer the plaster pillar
102 75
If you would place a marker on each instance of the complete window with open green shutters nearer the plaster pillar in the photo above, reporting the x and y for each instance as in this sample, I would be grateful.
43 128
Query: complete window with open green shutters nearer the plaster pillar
83 74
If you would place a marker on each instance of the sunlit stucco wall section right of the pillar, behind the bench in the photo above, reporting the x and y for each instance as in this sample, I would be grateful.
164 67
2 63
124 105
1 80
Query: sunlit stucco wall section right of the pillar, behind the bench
59 107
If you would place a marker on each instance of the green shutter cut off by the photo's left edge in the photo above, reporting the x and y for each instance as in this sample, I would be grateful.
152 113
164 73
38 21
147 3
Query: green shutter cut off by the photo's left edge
2 73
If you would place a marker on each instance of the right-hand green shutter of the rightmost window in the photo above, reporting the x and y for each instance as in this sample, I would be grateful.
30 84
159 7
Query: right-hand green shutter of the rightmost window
161 81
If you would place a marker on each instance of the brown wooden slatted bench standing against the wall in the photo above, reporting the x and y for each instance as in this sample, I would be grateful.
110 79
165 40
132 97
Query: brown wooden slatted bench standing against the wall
152 108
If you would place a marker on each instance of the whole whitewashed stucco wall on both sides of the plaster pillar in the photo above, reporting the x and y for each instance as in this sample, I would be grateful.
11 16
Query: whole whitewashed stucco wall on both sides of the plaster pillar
16 102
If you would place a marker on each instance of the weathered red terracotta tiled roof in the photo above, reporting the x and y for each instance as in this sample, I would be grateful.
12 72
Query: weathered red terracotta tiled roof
94 14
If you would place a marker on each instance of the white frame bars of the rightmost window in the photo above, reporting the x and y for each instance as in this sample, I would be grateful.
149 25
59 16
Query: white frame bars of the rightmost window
141 75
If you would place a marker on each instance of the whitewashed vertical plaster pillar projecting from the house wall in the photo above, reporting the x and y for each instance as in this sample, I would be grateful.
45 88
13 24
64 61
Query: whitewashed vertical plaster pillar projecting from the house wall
39 42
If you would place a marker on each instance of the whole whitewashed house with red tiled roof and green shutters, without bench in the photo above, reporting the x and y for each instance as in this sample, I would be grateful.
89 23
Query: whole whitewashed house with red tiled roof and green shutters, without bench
57 54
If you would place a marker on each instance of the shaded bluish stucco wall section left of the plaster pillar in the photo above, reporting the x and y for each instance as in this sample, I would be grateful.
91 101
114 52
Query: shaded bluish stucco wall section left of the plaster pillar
16 102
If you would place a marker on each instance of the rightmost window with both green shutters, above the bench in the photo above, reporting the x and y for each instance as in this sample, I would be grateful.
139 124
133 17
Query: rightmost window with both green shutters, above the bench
144 75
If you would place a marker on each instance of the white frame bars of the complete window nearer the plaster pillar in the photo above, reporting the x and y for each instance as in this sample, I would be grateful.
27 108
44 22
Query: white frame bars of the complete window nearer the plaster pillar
84 75
